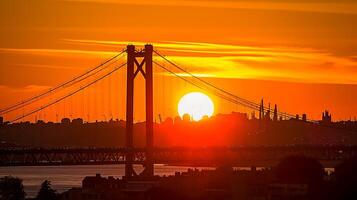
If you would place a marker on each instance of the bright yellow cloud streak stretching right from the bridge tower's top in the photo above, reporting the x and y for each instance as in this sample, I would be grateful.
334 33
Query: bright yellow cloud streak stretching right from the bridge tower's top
254 62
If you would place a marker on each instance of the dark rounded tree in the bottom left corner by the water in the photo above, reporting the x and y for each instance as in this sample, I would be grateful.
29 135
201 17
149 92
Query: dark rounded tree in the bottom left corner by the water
11 189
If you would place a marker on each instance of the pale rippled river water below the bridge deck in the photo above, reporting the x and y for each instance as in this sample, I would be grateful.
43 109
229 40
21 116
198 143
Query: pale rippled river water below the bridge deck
65 177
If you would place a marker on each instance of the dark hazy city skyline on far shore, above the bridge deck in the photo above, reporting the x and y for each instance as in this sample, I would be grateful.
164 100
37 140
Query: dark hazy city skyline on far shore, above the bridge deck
221 129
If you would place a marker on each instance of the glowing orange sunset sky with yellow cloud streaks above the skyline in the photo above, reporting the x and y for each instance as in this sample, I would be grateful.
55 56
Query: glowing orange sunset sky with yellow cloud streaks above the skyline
301 55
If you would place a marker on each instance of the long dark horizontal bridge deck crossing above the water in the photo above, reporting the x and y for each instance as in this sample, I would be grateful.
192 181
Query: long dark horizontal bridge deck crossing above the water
237 156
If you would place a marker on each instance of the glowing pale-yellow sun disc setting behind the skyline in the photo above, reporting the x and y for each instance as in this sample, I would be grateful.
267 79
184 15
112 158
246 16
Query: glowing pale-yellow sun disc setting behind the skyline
196 104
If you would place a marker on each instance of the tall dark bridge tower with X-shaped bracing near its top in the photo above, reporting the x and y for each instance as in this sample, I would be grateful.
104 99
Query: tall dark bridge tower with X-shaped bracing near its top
133 69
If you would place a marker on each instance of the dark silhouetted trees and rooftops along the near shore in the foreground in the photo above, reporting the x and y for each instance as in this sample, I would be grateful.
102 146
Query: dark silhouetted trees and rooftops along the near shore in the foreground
295 177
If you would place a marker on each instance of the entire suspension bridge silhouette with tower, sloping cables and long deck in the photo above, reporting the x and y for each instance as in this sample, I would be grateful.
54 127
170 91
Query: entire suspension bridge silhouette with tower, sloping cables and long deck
140 62
